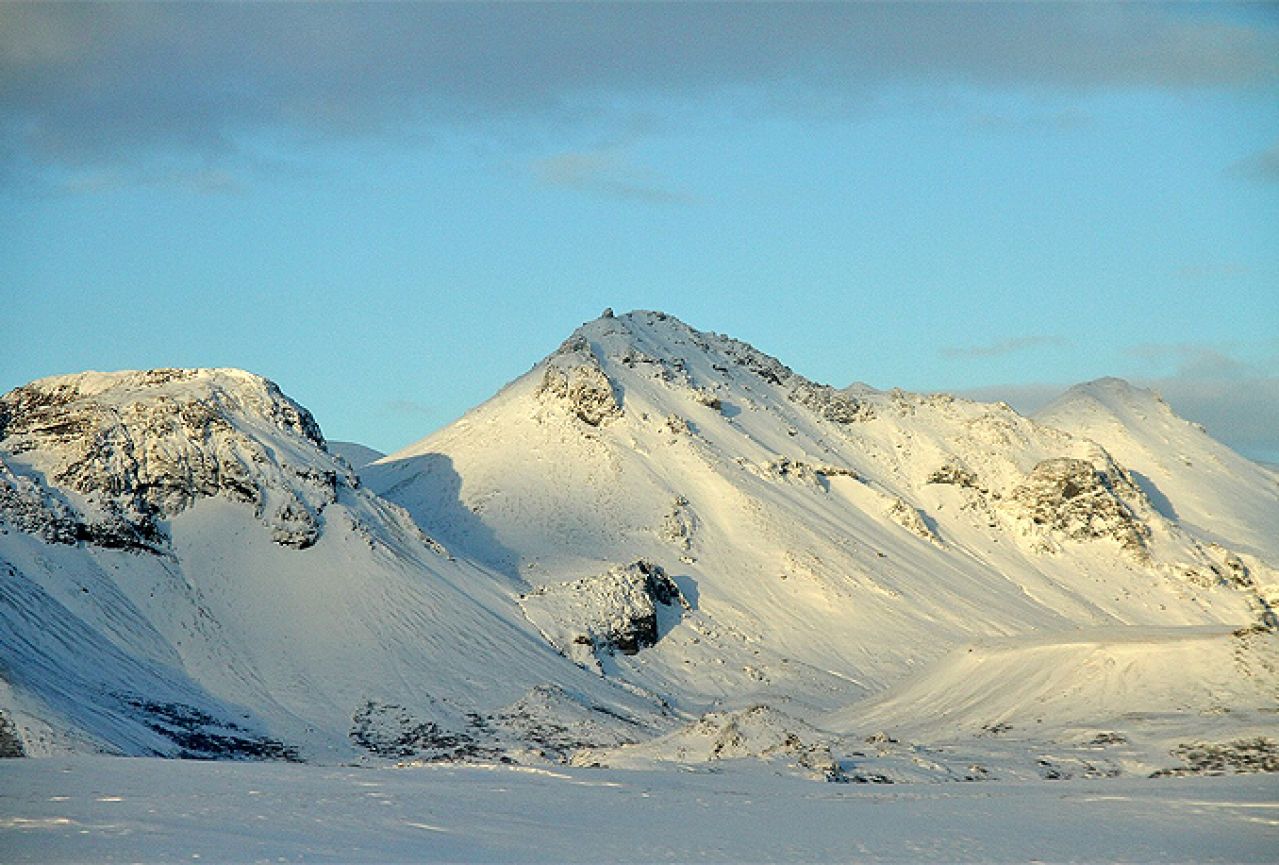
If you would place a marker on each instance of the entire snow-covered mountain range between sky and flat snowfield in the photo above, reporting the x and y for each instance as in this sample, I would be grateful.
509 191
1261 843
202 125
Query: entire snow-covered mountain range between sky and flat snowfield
658 546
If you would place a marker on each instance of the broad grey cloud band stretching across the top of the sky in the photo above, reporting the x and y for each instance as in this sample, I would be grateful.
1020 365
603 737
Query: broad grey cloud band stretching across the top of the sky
116 84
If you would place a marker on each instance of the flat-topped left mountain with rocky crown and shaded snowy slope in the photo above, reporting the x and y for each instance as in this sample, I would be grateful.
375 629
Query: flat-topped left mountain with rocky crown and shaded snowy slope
186 571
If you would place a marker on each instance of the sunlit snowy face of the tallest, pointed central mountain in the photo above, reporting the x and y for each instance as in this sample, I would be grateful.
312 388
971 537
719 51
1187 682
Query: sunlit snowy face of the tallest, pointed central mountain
827 542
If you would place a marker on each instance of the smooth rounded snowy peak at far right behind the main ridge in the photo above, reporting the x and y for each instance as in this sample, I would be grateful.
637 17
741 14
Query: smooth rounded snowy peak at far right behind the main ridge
1189 477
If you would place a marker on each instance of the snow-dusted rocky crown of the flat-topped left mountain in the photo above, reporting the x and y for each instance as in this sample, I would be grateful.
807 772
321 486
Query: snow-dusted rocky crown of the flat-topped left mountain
108 459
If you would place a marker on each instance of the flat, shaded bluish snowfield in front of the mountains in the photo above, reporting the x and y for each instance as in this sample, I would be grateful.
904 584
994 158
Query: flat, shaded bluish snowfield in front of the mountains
109 809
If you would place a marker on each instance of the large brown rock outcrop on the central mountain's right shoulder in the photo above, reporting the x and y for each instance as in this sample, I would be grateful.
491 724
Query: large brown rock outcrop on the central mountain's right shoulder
1066 498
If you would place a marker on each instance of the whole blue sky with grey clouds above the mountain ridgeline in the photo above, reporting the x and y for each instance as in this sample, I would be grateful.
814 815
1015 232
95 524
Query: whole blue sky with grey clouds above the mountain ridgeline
393 210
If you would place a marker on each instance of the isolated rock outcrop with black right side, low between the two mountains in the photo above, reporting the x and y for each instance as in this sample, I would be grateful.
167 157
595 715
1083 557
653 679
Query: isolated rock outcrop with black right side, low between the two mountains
617 611
